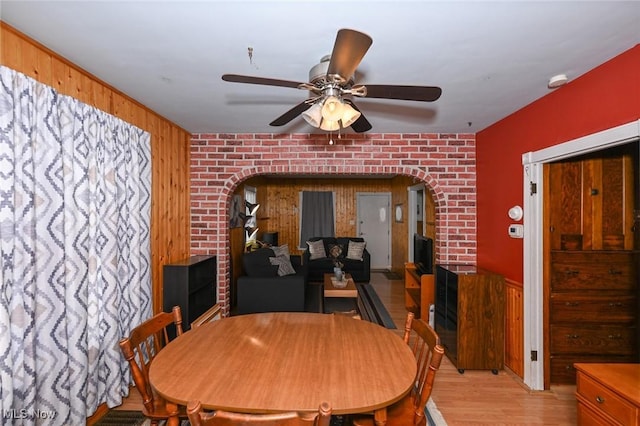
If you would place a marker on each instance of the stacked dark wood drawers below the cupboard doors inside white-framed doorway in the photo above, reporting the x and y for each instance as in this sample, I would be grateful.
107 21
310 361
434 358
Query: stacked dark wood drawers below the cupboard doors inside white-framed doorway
593 310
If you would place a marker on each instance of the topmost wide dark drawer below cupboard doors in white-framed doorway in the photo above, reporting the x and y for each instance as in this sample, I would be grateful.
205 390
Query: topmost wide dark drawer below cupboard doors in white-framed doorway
581 270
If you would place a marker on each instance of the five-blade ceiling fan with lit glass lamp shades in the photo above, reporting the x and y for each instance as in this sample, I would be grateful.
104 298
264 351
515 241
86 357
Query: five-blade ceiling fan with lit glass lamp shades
331 83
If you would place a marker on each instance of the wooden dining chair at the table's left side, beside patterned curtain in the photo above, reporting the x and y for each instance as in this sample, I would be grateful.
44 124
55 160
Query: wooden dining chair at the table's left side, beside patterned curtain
139 349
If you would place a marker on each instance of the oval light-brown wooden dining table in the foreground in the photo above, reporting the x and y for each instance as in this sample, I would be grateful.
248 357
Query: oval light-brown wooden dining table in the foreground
277 362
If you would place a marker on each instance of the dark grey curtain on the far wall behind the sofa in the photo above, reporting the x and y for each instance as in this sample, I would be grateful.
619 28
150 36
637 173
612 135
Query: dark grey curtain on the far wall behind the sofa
316 216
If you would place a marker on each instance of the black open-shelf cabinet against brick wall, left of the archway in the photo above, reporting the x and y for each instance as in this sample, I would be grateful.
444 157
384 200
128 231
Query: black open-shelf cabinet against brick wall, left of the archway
190 284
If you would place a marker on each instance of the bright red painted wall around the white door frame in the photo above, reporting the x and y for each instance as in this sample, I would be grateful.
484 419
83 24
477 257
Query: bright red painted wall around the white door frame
605 97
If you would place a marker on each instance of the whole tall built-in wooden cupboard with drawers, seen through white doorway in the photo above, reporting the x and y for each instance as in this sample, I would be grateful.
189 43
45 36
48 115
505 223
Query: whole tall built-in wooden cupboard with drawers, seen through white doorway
592 272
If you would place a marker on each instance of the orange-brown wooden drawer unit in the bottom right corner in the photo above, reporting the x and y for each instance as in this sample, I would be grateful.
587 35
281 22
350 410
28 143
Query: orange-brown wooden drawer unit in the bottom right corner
608 394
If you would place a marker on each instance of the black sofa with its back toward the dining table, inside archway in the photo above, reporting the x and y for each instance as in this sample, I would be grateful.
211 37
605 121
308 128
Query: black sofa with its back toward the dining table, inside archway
261 289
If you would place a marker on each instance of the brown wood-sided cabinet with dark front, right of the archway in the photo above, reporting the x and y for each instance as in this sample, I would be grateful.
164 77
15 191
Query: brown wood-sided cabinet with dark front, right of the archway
469 316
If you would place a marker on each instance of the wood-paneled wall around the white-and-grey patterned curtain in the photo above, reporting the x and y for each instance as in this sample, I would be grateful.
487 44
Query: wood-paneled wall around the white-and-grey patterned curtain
170 210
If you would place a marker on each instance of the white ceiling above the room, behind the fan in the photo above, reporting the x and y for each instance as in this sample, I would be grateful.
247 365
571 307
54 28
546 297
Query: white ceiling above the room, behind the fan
490 58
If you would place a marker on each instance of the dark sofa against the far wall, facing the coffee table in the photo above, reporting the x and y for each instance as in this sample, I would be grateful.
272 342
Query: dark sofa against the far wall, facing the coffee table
360 270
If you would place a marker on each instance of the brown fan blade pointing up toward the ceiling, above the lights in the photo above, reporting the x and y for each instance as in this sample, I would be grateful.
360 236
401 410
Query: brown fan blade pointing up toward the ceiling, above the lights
348 51
